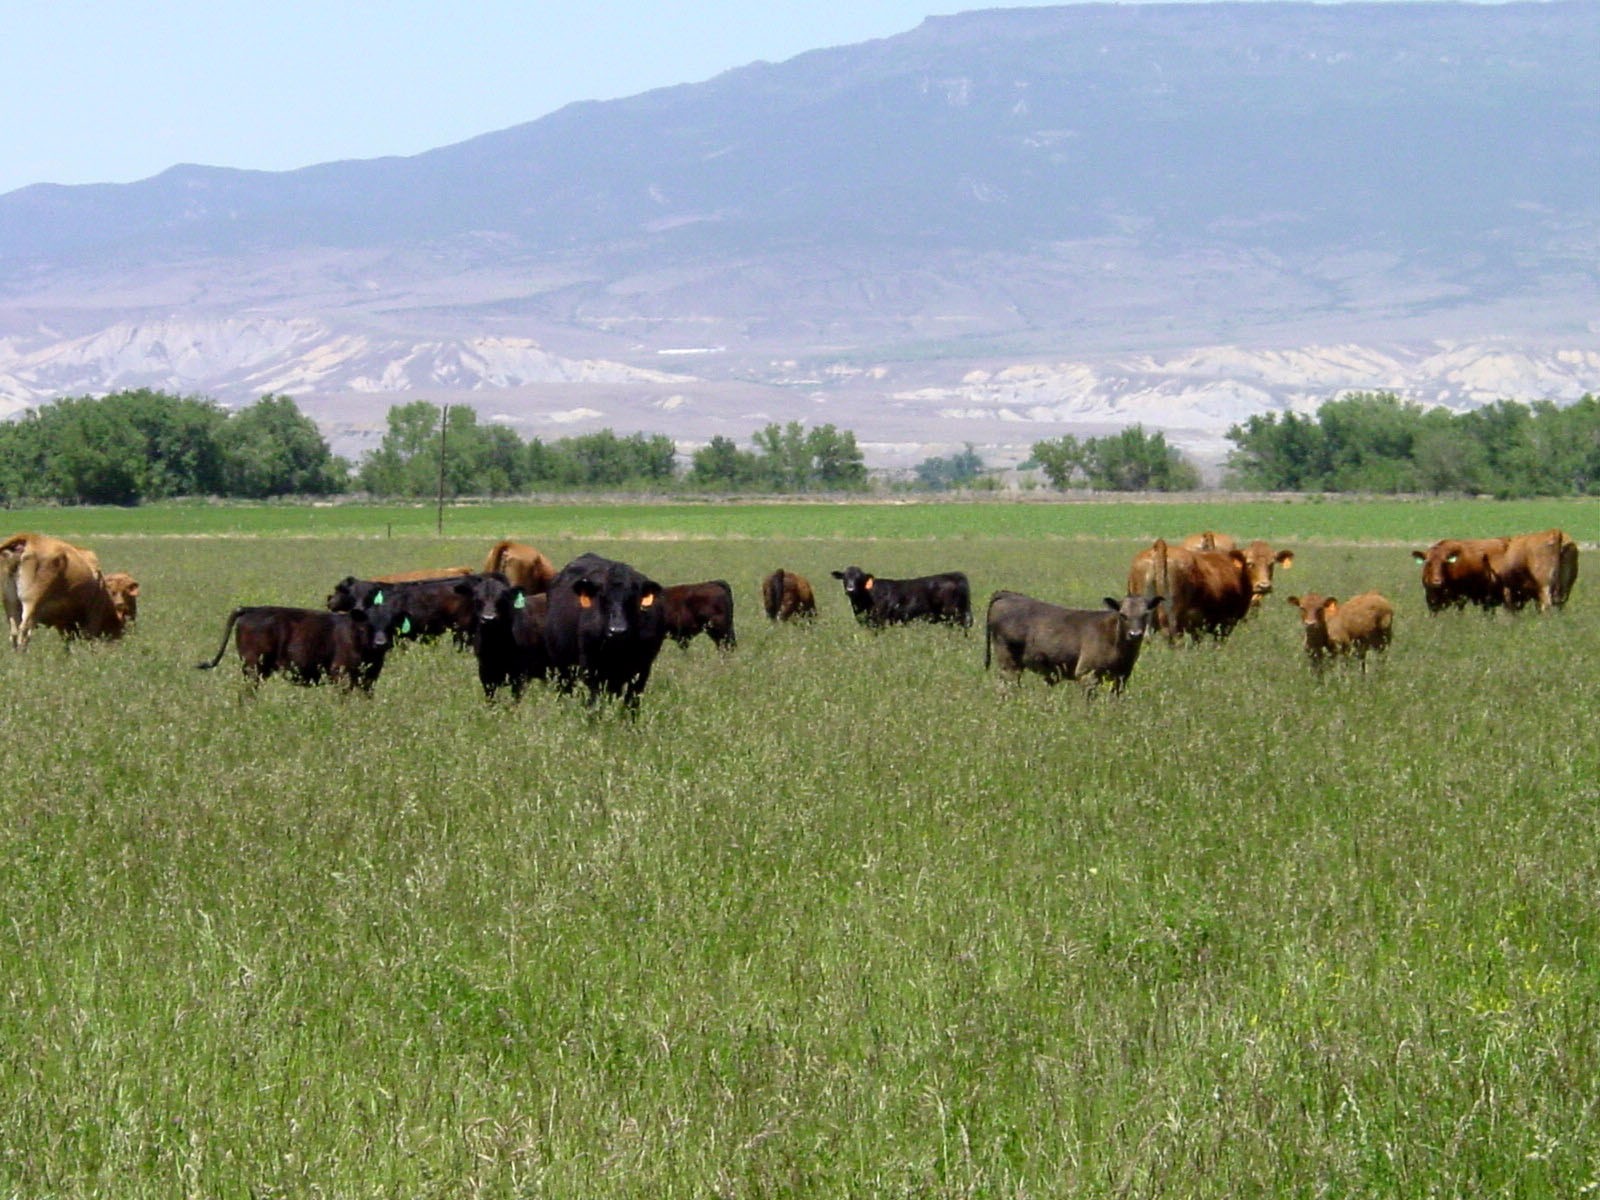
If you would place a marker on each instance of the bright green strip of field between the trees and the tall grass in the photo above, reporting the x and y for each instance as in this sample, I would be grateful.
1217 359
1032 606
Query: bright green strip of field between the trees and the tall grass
1292 519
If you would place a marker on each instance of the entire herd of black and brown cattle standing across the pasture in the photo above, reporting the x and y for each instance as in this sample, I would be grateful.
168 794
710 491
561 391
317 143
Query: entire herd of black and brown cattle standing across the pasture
599 623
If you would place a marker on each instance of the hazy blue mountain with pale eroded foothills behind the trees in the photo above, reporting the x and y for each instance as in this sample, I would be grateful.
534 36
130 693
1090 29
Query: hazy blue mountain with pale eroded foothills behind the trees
1094 199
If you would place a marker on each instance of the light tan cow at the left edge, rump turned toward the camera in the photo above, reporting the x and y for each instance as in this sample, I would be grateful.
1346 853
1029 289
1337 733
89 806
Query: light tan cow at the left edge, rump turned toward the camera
47 582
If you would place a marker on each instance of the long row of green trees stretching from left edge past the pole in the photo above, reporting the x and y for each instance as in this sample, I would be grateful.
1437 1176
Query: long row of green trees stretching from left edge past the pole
145 446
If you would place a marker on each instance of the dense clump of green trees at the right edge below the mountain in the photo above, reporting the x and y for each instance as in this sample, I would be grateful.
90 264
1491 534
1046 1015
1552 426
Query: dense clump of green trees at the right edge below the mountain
1380 444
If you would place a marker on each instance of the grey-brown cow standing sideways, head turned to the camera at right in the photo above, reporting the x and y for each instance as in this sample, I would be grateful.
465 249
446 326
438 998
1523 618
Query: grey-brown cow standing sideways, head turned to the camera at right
1028 634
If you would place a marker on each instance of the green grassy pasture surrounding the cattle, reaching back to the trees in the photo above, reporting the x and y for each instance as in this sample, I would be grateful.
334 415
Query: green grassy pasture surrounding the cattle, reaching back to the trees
838 914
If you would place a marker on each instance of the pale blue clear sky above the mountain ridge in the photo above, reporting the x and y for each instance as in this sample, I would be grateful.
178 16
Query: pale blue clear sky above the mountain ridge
116 90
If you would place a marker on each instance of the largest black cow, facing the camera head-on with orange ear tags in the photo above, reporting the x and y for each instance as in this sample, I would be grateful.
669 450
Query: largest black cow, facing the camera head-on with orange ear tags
604 628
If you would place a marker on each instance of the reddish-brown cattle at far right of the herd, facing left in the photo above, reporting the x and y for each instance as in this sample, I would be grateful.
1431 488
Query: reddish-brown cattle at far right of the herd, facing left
1495 572
